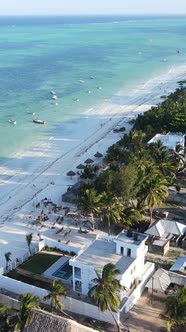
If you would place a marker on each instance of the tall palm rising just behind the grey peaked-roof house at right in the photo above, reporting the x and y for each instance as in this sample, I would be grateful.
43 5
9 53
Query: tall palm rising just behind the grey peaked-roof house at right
158 190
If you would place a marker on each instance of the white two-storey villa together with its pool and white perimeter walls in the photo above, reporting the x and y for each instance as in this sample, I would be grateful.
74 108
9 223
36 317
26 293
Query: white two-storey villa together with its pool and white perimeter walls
126 251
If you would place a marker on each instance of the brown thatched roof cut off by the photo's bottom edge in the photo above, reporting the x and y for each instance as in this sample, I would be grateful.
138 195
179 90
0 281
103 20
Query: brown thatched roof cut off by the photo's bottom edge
44 321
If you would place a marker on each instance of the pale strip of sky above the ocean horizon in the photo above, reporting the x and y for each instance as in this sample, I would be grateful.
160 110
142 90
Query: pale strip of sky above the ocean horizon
91 7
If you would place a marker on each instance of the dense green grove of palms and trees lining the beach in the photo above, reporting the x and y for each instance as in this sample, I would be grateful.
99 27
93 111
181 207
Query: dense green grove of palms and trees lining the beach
138 174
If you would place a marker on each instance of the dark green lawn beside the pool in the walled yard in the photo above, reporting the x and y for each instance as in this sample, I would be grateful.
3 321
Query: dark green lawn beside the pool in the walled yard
39 263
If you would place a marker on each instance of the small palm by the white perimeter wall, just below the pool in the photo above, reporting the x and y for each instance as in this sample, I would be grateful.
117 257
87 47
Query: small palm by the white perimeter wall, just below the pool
57 290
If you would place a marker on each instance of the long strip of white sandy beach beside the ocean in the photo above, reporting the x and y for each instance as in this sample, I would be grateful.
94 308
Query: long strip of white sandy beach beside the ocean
41 172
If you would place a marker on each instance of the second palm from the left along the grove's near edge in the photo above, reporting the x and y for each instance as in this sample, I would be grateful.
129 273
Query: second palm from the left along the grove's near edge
111 209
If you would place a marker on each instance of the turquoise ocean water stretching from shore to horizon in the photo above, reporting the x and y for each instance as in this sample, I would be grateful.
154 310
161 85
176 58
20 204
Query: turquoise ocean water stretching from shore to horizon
40 54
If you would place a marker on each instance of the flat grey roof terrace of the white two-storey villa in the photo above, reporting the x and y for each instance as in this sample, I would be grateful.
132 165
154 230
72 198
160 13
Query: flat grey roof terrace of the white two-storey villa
102 252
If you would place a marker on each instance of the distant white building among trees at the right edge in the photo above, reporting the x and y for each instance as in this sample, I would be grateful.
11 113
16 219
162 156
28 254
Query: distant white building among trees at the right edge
169 140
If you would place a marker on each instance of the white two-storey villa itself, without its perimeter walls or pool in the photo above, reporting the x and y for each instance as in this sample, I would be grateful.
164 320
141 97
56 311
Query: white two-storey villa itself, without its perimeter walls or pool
126 251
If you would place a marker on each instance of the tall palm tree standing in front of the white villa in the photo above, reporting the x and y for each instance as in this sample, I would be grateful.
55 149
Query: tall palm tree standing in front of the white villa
106 289
